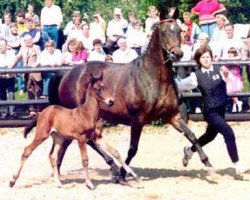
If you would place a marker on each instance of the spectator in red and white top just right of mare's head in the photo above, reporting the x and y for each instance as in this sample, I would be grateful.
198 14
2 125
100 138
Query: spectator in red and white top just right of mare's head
193 29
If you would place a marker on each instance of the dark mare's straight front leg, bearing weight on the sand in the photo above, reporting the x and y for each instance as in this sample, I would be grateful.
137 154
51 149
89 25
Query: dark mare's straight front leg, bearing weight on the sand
136 129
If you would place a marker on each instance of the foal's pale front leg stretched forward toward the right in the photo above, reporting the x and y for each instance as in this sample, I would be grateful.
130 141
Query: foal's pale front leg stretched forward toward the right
103 144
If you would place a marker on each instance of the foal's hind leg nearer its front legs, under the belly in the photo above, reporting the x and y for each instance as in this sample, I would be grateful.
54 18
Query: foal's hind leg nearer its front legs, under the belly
57 143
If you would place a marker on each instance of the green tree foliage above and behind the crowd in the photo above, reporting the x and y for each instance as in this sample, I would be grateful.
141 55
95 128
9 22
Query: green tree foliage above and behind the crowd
237 10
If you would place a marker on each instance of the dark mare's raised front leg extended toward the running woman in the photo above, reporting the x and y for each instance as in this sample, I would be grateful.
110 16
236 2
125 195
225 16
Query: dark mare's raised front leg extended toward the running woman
181 126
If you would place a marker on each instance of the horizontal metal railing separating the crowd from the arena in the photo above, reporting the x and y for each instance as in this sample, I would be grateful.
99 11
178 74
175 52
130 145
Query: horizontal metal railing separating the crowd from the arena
244 116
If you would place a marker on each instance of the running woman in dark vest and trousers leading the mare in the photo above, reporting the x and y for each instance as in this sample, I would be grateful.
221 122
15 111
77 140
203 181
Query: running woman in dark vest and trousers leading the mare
215 98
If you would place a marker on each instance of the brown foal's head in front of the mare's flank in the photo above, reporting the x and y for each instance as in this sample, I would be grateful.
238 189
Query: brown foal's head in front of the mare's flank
100 90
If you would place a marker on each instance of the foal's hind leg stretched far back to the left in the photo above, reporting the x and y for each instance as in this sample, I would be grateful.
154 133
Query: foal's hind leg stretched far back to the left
27 151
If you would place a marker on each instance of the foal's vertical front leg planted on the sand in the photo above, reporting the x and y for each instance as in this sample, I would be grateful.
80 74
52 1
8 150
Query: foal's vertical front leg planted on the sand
85 162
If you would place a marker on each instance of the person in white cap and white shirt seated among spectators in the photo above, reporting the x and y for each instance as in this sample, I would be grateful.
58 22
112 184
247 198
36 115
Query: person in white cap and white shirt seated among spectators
116 29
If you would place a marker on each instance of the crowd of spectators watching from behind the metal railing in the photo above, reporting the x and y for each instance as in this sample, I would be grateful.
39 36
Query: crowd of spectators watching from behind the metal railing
31 40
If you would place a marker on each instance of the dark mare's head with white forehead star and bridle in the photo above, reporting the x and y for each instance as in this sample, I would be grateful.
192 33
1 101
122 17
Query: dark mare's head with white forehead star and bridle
170 38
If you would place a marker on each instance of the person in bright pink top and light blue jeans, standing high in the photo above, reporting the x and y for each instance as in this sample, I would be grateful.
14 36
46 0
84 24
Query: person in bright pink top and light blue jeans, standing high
206 10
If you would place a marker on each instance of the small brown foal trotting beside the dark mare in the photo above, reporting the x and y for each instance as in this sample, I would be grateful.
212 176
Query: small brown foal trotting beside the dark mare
79 124
